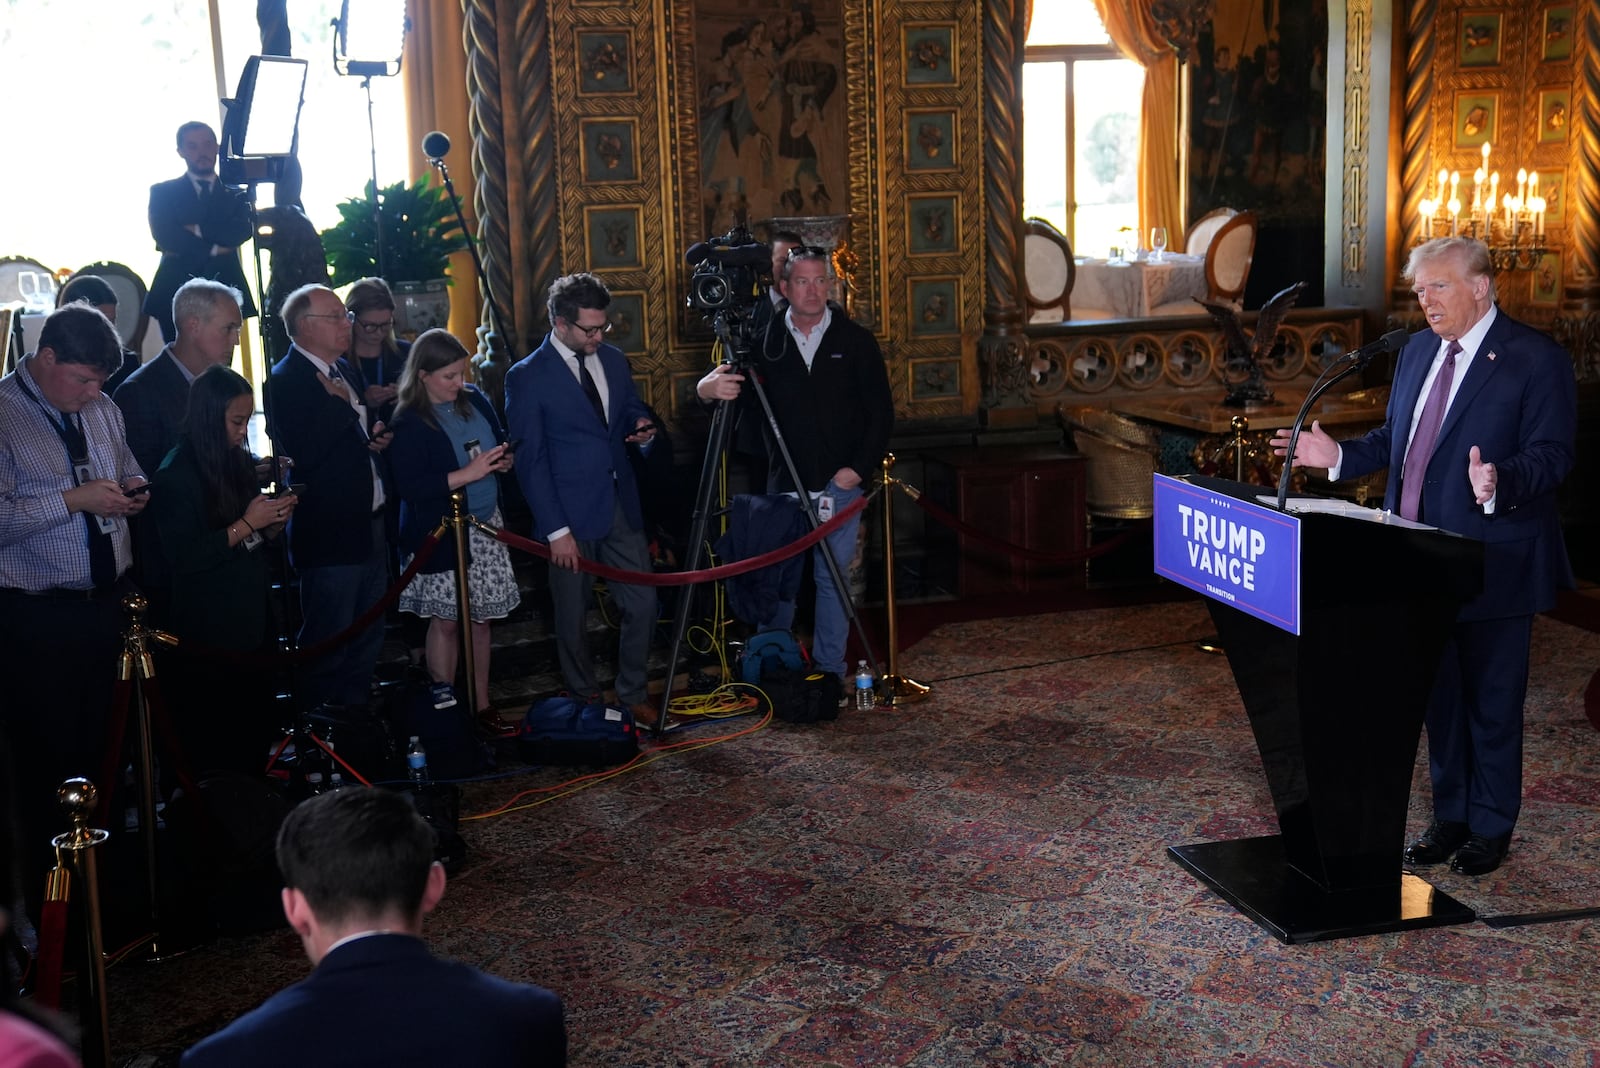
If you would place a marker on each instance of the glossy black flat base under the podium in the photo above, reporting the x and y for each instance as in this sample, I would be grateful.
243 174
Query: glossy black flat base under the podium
1254 875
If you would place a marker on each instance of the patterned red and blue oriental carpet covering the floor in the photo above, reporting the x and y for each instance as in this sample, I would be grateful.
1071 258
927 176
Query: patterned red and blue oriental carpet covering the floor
982 880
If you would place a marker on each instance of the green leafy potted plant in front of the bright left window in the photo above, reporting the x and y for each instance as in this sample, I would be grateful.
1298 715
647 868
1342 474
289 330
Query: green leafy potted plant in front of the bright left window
420 234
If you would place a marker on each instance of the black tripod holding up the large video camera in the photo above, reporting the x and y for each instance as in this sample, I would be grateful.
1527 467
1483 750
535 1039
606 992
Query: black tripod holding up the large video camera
737 356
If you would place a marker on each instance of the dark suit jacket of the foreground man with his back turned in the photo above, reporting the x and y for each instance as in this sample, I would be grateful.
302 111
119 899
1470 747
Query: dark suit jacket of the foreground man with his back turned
385 1000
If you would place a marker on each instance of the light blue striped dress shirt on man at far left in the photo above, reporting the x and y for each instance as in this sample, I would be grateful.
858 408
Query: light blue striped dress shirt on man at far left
44 546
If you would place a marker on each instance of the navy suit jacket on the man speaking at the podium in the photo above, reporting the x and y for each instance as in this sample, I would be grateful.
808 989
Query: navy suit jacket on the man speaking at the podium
1519 405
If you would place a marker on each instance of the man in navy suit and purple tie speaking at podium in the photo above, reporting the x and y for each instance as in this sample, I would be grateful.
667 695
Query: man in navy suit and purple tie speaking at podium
1479 437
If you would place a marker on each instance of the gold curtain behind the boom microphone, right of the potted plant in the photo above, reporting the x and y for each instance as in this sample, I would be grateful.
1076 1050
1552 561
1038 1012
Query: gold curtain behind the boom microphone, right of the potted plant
436 98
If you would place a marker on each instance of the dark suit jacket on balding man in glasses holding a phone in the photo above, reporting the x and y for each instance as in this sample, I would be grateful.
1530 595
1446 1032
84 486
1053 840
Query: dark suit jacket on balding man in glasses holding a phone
322 434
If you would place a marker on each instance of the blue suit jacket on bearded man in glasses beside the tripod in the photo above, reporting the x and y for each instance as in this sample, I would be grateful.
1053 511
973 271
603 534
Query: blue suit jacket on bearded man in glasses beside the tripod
572 469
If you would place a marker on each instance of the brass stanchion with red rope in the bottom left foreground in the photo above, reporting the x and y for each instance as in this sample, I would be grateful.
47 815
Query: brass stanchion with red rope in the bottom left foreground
76 858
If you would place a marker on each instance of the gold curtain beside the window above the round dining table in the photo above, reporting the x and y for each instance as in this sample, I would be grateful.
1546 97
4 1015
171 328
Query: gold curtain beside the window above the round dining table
1135 33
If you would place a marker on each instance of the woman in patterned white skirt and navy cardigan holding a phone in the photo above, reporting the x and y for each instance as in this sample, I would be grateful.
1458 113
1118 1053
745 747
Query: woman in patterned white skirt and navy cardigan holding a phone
449 439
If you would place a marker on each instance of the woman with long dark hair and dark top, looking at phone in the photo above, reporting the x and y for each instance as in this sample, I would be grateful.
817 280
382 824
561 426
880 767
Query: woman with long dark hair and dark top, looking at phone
212 520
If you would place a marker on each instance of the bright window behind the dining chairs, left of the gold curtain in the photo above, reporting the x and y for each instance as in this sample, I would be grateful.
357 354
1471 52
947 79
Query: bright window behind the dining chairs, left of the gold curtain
1081 129
